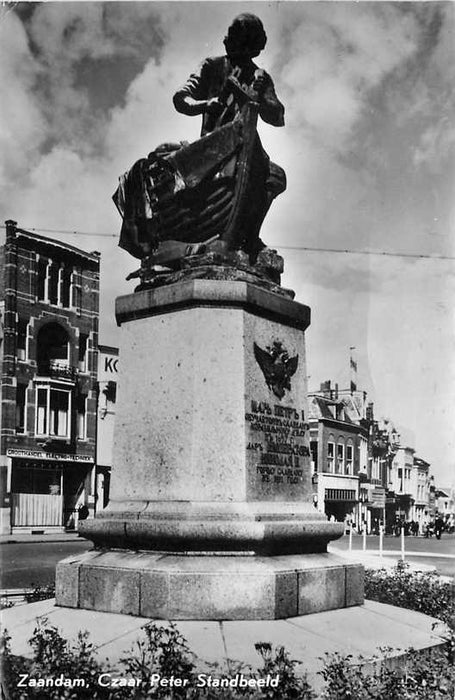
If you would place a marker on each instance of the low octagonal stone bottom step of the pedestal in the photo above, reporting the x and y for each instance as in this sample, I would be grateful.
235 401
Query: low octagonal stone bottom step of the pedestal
166 586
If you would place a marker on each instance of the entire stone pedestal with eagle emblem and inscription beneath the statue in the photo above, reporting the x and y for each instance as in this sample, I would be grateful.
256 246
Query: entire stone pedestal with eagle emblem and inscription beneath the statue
211 476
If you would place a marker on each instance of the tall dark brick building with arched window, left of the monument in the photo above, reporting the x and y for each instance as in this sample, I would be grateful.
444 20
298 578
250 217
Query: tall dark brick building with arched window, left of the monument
48 400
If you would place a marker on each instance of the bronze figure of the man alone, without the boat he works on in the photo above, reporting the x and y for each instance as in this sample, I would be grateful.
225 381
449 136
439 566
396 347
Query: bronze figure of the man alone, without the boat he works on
203 93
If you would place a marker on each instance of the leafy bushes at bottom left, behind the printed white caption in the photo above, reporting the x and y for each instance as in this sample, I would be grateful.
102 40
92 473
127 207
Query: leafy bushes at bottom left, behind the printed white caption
163 650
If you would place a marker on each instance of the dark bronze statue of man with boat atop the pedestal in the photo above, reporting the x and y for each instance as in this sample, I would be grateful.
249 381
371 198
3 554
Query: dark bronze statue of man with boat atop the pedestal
188 207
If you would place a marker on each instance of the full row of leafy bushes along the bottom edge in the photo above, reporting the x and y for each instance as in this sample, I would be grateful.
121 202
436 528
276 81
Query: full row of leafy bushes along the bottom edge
165 652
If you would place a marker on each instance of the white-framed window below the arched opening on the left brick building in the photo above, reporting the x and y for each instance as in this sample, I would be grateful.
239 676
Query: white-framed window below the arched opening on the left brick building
53 412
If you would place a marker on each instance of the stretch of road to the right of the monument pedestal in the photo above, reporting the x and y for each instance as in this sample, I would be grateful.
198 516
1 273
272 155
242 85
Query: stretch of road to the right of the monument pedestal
437 553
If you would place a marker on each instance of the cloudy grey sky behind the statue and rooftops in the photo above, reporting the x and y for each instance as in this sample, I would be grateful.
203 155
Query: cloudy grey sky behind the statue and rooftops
368 148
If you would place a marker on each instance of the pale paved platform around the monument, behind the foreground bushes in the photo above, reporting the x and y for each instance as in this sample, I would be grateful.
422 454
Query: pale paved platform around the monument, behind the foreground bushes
360 630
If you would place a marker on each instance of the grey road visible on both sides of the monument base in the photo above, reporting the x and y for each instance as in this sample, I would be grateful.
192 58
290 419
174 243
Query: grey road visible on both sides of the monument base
28 564
